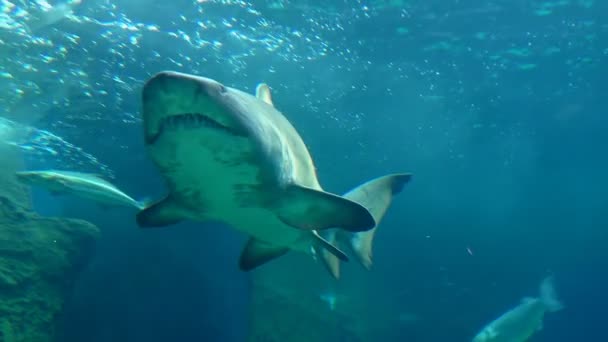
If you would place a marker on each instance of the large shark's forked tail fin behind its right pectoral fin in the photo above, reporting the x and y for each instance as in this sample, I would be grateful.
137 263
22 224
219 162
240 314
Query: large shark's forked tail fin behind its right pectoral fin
376 195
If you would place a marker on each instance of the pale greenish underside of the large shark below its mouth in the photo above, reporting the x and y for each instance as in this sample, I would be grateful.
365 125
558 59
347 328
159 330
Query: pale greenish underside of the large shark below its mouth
223 184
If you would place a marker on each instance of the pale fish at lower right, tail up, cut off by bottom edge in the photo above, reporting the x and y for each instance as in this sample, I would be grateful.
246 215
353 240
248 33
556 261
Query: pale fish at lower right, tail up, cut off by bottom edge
521 322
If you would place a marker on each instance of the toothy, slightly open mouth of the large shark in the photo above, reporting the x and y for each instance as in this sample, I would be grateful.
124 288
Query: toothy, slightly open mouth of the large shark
188 121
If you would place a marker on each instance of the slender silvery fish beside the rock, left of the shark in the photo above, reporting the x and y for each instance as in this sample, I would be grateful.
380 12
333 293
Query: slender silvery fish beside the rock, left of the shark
84 185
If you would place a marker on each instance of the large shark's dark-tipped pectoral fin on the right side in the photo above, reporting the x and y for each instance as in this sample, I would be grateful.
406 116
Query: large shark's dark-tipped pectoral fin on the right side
309 209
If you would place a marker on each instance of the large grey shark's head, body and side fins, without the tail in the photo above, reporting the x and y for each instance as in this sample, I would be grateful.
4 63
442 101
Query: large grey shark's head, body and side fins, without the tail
232 157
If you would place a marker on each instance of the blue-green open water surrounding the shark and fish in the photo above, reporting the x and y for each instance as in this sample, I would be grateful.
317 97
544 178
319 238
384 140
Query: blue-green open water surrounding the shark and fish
497 108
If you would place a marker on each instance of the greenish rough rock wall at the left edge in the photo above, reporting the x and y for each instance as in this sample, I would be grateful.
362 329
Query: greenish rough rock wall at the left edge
40 259
